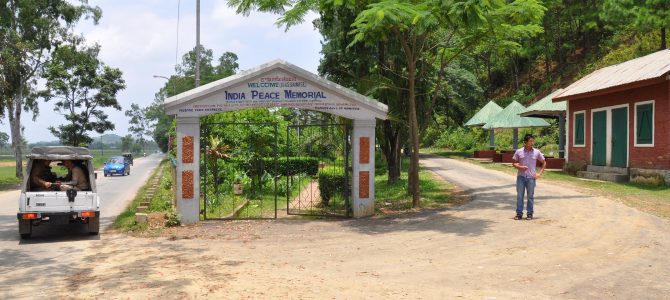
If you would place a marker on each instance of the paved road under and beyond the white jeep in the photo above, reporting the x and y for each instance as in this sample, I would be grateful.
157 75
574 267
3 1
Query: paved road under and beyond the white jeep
30 268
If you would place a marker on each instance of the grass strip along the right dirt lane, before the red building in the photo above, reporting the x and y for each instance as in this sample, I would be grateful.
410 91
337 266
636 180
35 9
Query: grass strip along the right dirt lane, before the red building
648 198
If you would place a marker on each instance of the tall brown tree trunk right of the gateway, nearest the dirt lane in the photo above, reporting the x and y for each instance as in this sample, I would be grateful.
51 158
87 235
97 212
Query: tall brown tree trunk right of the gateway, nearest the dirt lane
414 135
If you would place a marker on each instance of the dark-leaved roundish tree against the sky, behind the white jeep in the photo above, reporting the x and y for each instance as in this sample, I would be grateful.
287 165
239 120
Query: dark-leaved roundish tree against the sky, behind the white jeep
82 86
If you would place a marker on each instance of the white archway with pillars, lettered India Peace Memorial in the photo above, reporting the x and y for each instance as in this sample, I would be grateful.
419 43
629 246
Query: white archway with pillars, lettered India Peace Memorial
274 84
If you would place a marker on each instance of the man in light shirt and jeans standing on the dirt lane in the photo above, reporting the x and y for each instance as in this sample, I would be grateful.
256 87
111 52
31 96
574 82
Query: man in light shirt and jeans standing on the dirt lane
525 160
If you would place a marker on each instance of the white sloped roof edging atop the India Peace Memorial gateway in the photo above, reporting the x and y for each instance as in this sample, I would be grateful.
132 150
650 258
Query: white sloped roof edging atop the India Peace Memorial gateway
377 109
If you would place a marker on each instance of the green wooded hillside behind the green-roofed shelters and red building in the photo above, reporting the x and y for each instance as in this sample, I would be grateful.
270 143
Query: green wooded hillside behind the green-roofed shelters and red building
578 38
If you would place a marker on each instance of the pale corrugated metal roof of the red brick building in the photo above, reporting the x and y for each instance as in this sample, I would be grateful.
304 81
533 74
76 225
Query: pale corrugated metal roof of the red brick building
647 67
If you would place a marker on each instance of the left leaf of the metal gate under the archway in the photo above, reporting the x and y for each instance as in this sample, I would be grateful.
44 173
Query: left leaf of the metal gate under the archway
239 176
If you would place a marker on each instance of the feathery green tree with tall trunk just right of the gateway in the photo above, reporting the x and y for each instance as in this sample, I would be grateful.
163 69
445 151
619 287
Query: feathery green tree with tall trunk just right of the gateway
432 31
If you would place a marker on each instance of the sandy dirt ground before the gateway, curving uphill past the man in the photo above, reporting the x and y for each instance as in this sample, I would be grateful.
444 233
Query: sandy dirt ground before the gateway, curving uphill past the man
578 247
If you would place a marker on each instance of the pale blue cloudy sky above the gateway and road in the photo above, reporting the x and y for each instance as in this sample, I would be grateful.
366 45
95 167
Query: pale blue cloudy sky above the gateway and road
140 38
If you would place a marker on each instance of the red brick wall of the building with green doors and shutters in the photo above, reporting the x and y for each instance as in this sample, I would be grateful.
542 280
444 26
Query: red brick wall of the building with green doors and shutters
657 157
